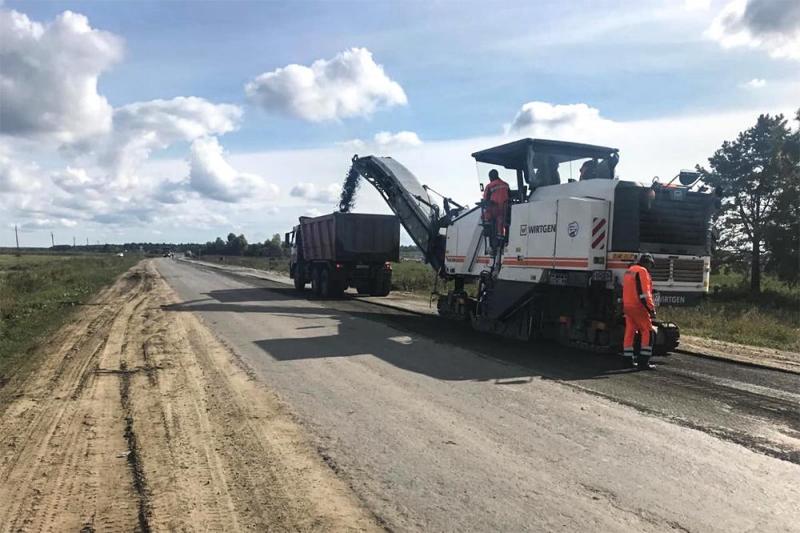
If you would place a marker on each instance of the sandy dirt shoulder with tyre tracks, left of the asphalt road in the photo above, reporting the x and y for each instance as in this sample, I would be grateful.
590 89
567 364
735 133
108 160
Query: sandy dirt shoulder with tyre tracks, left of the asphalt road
140 419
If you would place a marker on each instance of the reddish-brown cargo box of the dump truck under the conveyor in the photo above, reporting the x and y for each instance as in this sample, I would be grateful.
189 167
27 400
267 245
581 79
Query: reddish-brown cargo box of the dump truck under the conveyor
347 237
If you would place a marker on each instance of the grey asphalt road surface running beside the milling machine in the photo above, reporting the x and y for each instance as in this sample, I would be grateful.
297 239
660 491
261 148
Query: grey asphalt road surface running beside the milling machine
436 427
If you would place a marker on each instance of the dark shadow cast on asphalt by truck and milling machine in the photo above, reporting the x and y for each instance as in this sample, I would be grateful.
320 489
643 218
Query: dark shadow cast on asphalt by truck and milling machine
503 360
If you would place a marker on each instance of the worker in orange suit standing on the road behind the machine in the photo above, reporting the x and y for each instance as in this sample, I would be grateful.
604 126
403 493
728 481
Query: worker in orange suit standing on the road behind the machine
637 304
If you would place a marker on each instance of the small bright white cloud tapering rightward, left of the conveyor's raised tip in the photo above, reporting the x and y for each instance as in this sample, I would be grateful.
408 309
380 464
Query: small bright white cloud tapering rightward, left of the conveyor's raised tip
213 177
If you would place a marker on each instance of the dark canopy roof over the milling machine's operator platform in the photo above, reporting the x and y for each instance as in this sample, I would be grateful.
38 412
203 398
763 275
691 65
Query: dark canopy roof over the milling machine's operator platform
538 159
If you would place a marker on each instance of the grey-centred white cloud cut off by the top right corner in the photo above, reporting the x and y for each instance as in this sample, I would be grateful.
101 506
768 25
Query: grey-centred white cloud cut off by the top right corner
771 25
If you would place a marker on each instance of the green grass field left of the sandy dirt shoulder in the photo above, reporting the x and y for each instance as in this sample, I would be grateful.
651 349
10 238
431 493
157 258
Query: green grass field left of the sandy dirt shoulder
38 293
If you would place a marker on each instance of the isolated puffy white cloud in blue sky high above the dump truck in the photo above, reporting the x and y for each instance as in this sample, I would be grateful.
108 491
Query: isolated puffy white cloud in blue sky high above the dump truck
349 85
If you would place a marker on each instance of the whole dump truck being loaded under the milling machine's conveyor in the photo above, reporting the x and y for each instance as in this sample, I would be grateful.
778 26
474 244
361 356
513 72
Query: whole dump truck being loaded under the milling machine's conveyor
341 250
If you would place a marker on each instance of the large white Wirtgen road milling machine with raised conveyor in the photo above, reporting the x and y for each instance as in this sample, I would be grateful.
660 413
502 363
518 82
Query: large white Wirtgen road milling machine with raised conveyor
557 271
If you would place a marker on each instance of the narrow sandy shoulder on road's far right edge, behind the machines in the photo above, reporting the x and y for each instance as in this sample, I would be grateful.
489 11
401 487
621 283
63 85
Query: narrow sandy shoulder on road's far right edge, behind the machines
739 353
